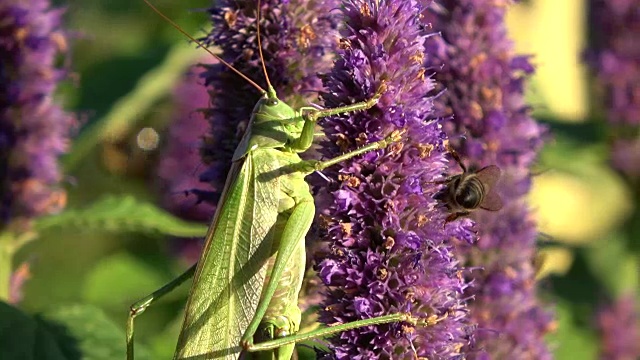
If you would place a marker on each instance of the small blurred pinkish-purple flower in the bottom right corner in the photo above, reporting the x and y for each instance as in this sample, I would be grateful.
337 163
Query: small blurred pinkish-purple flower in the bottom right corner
619 326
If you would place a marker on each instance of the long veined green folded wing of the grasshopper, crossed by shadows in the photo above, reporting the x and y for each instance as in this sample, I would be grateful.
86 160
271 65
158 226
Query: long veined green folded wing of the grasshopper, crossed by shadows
231 271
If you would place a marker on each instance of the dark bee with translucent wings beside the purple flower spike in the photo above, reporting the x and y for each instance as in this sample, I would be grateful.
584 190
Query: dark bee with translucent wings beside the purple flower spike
470 190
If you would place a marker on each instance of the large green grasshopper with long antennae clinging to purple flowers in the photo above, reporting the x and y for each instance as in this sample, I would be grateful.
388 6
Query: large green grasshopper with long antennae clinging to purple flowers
248 278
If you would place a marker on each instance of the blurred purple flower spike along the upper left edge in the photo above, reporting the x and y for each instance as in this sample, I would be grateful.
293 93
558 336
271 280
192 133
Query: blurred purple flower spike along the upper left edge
34 130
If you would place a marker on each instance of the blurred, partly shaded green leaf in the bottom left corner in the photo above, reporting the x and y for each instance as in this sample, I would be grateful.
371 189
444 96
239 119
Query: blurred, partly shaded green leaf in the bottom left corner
64 333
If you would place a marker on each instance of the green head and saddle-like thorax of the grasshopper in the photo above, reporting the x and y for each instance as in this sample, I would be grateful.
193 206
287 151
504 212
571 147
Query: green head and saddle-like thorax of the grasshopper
273 124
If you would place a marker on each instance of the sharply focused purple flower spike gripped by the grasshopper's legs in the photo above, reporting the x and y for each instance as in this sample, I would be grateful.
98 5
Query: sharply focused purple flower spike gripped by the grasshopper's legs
388 247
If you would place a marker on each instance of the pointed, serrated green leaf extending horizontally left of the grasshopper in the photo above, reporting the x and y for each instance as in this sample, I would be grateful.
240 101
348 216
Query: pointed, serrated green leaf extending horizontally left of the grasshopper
123 214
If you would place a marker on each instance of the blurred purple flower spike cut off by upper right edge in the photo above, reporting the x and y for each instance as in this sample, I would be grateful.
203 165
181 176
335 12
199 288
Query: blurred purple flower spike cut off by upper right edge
615 59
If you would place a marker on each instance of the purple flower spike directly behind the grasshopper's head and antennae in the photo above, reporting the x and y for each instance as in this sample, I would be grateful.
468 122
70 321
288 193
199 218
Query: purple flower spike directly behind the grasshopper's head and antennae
296 36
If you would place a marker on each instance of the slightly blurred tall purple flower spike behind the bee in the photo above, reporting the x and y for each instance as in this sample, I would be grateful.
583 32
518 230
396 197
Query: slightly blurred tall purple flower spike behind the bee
491 124
